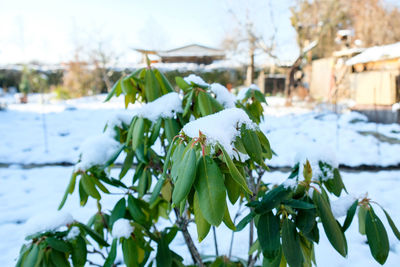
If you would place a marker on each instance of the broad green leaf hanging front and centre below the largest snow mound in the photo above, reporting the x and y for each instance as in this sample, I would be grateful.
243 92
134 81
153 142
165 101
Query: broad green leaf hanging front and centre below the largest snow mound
210 187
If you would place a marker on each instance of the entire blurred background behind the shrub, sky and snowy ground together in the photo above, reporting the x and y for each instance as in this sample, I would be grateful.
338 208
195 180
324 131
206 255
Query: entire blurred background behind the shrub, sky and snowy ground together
330 70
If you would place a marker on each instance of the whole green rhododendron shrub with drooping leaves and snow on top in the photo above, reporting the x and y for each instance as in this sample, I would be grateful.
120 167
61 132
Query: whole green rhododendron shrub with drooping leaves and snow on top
194 150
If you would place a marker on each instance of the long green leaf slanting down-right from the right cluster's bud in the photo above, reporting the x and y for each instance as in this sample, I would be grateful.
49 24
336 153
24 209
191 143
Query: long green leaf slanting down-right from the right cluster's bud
331 226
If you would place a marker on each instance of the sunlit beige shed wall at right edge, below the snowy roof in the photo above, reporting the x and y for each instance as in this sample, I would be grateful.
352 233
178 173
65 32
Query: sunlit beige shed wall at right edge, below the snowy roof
373 87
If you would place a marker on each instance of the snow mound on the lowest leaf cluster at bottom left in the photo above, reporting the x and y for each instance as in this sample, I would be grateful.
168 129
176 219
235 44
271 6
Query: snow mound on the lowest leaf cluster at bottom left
48 222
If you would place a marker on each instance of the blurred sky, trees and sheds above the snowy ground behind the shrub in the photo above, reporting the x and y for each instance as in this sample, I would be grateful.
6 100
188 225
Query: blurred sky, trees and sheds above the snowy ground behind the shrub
329 51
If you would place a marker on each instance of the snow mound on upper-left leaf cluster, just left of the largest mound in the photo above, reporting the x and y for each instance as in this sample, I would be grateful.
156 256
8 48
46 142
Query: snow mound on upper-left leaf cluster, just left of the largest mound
163 107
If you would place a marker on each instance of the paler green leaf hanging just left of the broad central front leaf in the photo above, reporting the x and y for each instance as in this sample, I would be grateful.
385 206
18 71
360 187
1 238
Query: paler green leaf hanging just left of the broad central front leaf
186 177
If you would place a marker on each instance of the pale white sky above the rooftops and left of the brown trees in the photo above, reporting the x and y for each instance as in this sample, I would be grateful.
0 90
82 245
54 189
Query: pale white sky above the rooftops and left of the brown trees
50 30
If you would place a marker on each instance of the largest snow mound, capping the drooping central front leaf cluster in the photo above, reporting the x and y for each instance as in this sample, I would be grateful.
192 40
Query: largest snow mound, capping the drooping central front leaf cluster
222 127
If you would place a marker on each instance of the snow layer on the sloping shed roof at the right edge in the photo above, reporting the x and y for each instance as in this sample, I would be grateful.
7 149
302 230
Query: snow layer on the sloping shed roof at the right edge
376 53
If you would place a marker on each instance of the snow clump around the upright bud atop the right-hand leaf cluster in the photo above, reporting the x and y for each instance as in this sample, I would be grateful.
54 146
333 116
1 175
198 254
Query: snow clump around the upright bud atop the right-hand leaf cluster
314 155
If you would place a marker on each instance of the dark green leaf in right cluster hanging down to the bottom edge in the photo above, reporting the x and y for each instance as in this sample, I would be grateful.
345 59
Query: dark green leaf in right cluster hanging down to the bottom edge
291 244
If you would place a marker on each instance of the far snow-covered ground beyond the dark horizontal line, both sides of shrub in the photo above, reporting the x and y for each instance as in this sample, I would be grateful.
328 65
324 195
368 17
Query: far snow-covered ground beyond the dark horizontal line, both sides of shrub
66 124
